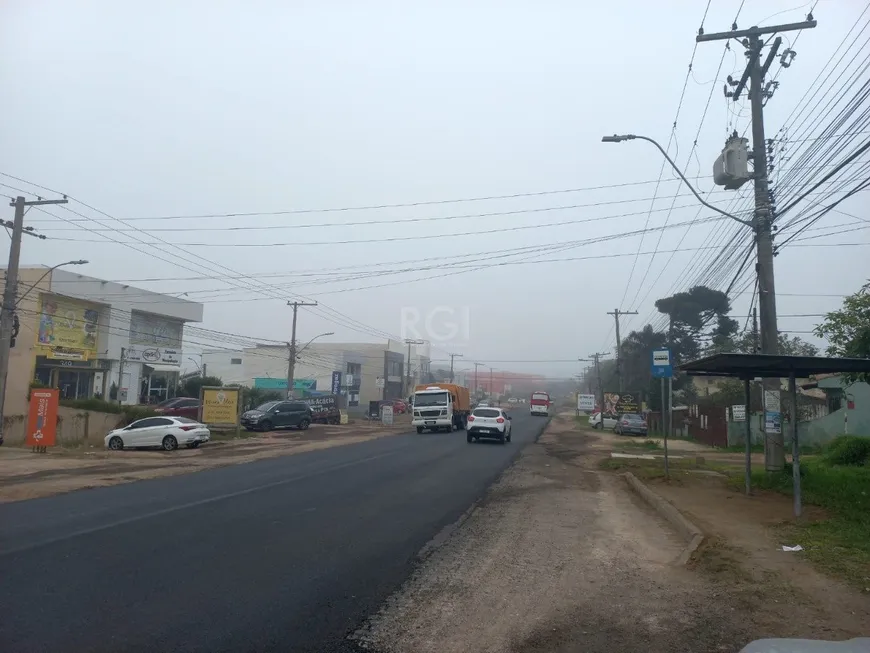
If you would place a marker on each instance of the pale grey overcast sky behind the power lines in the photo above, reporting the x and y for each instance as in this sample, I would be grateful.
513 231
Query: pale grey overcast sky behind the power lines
185 107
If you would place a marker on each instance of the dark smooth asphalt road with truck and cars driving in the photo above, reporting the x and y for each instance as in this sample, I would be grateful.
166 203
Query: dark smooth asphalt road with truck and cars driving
284 554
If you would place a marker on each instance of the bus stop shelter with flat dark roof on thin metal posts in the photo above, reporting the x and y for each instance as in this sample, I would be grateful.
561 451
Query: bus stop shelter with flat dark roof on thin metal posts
748 367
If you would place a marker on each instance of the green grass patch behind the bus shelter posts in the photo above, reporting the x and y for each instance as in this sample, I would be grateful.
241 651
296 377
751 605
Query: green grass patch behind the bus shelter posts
841 544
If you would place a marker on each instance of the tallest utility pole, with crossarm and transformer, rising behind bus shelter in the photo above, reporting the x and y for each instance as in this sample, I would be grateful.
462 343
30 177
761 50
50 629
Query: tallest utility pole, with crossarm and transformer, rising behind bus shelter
762 223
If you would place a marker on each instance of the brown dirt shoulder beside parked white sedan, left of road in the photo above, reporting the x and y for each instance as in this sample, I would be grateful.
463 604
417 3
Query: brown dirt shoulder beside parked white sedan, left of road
26 475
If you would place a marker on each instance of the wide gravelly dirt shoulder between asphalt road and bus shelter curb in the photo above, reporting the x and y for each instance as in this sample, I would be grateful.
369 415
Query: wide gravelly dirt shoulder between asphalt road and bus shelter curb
560 556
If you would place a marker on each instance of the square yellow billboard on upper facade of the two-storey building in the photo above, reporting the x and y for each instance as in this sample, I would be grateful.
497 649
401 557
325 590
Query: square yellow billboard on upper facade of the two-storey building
67 328
